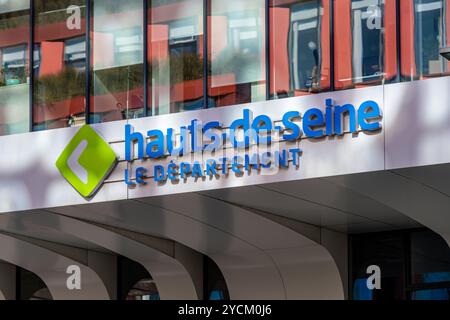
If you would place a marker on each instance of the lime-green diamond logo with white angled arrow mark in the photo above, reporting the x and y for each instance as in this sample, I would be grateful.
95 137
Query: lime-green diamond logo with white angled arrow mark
86 161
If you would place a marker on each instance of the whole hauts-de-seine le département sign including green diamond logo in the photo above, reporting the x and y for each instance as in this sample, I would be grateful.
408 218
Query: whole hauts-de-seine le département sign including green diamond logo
197 150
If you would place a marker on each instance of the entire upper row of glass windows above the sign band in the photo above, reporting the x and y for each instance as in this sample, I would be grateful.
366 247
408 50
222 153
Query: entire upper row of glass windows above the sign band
154 57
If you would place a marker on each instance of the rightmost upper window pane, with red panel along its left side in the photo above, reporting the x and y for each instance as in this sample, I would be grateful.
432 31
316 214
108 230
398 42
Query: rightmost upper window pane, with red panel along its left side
424 26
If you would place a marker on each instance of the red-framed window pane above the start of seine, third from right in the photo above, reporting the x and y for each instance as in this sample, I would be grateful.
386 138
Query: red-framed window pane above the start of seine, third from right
299 47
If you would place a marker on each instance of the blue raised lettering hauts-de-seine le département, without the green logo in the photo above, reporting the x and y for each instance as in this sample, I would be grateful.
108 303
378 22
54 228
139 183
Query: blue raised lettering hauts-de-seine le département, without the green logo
199 150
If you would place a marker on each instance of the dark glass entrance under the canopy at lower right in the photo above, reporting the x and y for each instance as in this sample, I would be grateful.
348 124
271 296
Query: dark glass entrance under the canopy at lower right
413 265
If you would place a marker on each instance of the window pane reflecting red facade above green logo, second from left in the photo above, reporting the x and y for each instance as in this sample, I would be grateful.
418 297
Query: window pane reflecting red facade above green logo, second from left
59 64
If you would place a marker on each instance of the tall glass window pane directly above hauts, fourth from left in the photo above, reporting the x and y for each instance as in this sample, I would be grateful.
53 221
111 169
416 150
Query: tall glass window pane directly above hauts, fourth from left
175 55
